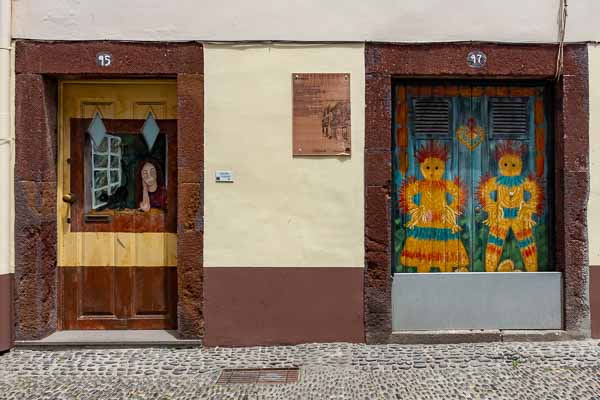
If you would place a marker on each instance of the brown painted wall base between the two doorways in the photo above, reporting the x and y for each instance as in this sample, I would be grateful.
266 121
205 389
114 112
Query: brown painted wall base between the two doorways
270 306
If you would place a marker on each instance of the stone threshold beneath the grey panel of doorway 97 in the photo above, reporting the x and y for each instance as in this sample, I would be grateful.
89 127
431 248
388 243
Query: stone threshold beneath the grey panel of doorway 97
477 336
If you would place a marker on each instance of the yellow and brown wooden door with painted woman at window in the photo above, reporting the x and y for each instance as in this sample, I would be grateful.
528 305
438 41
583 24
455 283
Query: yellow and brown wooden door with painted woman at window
117 204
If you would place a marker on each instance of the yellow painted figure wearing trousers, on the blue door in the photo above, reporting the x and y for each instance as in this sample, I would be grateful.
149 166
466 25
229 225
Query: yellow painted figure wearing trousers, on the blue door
510 201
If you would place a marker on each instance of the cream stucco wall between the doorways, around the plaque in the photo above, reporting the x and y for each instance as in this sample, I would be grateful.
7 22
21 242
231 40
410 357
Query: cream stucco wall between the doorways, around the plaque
281 210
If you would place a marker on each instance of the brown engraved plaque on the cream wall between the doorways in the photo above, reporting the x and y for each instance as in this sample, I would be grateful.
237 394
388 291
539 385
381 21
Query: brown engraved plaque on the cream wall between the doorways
321 114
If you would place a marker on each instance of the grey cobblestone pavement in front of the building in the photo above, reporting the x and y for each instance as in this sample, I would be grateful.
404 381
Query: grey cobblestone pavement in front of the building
552 370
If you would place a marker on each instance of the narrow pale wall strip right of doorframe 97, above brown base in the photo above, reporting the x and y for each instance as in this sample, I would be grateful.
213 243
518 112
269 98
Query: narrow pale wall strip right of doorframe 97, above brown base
594 201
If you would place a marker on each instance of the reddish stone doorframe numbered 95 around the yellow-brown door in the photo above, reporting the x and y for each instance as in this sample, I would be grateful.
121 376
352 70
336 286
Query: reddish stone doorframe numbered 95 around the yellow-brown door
38 66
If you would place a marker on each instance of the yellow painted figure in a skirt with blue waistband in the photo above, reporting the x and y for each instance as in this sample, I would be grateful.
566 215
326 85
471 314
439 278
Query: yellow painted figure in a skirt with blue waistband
433 205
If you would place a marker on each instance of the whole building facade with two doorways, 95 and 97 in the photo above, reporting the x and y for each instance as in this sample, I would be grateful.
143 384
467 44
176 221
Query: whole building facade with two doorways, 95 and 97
275 175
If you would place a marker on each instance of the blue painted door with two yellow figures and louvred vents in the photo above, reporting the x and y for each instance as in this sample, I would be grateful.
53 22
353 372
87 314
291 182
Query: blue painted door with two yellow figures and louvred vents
471 174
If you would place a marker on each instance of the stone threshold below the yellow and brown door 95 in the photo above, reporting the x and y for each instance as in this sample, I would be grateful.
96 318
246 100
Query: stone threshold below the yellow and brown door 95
110 338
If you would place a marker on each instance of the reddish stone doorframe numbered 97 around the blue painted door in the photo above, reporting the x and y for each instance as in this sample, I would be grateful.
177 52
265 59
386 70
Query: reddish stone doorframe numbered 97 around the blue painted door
383 62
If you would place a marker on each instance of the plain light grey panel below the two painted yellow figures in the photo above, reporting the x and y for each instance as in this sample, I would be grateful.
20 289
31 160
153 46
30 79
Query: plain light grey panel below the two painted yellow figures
477 300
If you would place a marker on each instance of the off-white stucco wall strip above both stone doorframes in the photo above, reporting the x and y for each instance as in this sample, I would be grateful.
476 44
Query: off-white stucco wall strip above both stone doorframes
307 20
